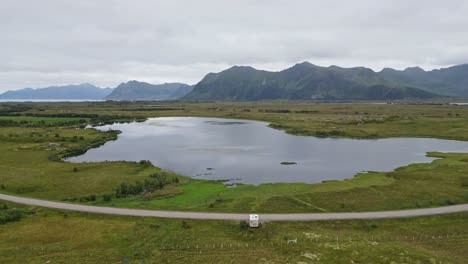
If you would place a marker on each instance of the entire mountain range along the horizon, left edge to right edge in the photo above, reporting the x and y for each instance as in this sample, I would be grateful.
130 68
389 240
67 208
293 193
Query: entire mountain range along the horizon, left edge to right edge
303 81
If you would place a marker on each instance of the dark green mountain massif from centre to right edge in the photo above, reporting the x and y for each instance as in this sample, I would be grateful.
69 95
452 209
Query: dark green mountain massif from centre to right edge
305 81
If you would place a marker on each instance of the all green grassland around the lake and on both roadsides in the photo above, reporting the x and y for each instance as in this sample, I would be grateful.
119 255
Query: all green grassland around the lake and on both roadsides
41 134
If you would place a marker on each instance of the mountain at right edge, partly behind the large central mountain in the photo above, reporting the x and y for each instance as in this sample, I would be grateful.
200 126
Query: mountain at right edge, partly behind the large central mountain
452 81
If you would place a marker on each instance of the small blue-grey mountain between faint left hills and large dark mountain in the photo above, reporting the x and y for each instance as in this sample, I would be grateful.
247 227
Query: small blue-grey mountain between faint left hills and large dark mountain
134 90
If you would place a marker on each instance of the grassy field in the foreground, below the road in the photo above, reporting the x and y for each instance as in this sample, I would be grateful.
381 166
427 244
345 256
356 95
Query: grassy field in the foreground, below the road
44 235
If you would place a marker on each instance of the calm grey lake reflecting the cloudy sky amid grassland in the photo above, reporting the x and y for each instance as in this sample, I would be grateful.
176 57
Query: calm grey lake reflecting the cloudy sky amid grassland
244 151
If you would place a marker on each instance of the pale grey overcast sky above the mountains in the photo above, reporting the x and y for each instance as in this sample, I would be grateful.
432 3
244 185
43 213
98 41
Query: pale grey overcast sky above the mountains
105 42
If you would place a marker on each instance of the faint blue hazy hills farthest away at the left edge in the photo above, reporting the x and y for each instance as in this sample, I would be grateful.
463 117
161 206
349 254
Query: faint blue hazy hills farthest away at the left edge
72 92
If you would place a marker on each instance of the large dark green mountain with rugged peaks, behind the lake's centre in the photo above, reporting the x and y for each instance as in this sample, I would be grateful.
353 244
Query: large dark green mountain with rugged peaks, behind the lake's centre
303 81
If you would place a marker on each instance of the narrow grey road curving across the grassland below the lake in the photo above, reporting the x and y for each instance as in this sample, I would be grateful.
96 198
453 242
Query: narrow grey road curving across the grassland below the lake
227 216
